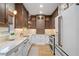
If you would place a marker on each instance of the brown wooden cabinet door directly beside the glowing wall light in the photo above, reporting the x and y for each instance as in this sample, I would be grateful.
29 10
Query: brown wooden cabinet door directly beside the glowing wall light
18 21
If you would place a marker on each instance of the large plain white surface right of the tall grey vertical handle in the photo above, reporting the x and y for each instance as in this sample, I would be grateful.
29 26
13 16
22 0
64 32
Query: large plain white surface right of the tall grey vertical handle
70 36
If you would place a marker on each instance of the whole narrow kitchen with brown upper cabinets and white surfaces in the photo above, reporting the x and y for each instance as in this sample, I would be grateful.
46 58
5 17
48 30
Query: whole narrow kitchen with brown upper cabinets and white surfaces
26 28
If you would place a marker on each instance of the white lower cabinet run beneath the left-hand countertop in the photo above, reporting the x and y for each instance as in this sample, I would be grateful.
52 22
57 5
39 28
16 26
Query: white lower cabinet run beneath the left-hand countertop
22 49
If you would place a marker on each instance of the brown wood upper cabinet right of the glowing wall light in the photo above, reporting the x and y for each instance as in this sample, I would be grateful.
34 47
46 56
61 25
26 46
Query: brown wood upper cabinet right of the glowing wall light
22 16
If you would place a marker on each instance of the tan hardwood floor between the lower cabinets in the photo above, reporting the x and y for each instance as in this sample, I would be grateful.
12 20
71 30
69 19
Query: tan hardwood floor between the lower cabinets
40 50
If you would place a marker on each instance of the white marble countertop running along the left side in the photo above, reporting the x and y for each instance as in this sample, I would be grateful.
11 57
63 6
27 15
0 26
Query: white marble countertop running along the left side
7 46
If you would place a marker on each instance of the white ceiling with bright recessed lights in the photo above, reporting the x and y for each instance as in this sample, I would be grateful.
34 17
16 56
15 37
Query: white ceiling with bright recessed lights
40 8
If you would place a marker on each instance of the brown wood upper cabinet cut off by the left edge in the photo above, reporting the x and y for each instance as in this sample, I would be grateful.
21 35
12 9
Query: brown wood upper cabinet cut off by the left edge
3 19
